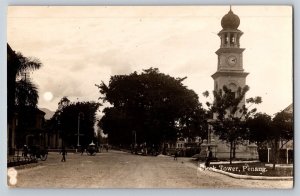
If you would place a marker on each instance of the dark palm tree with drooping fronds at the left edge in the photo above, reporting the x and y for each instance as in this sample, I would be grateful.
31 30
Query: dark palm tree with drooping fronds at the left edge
22 95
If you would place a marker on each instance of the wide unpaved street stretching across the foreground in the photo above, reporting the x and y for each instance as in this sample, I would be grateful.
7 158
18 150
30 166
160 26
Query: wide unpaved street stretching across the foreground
116 169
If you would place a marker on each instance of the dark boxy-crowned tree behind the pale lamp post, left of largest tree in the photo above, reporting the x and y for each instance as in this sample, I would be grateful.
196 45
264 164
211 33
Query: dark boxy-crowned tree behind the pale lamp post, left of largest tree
67 115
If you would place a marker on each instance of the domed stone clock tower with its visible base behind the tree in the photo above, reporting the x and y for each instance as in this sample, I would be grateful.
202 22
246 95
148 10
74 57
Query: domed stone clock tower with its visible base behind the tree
230 73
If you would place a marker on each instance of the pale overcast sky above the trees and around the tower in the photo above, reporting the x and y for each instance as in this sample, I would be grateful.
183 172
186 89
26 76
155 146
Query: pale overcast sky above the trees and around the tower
82 46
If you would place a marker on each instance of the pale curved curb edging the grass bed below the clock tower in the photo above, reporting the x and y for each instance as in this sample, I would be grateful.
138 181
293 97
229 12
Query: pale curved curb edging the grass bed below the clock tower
238 176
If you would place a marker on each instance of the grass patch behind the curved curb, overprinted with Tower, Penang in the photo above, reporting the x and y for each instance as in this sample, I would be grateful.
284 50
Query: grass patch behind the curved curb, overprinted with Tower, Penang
254 169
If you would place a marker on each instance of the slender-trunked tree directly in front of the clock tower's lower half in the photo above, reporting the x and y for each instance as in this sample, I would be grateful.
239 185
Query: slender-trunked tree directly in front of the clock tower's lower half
230 115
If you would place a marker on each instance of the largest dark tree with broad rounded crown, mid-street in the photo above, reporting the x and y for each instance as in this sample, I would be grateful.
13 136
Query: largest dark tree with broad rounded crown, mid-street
149 107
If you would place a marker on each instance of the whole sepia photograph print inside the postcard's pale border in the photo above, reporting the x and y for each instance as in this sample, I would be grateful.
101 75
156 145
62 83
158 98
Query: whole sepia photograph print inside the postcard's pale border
150 97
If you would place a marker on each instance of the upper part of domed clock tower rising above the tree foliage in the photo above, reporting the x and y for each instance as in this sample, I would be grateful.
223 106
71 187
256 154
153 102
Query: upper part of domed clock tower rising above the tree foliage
230 71
